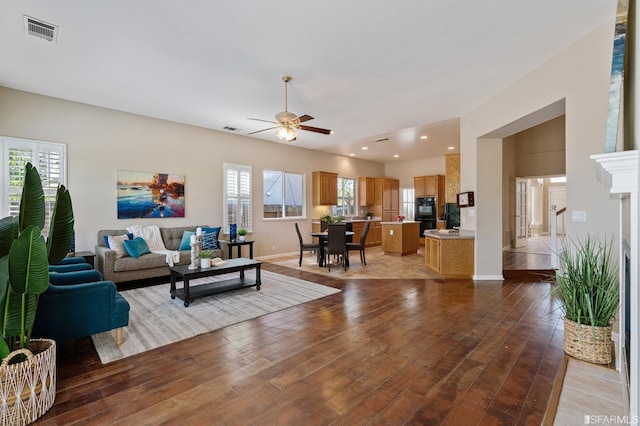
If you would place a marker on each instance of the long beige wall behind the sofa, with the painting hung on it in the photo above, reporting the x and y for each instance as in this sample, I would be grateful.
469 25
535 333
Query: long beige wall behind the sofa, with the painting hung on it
102 141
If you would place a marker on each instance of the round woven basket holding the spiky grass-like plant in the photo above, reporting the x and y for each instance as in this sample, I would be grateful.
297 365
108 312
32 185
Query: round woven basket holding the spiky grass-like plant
587 343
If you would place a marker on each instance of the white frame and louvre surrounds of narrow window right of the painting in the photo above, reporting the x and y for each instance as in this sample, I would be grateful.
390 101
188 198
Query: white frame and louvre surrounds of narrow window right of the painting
248 198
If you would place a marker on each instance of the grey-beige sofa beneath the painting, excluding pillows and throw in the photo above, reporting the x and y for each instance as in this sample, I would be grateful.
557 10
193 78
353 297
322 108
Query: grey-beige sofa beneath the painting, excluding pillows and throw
149 265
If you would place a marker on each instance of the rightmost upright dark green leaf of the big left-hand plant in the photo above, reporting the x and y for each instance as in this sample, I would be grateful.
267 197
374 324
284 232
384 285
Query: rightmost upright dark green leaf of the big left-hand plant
61 227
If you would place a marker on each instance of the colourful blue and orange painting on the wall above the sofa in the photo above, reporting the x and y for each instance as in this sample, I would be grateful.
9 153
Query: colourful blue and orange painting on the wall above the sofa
149 195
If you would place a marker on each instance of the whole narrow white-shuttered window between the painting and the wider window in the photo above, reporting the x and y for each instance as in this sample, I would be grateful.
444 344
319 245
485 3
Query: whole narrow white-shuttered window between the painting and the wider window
237 196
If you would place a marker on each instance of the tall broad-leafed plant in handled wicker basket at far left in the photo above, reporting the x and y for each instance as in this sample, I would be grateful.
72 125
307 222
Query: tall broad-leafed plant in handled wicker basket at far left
24 274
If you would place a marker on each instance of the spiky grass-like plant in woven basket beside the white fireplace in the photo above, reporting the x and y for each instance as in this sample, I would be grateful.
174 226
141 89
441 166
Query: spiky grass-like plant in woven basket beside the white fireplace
588 287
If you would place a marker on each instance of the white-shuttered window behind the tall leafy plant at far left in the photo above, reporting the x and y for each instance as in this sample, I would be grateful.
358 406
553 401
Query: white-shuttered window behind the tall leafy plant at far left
50 160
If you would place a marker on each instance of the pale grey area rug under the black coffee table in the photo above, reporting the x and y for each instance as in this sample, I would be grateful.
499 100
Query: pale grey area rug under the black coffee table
156 320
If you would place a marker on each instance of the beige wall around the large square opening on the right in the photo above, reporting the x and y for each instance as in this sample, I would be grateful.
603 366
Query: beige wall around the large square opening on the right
580 75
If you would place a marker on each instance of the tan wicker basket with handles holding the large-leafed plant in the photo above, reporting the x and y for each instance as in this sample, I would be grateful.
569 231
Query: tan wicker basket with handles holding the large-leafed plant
28 388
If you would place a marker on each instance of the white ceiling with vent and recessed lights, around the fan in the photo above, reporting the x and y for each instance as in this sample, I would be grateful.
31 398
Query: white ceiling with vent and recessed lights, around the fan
367 69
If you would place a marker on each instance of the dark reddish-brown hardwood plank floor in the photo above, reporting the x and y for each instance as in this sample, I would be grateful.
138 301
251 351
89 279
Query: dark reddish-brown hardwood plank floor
383 351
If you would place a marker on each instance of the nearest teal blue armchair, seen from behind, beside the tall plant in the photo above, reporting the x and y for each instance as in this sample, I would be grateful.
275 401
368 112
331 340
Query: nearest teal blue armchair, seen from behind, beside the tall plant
78 304
